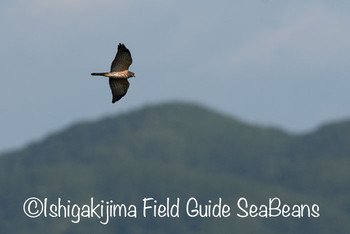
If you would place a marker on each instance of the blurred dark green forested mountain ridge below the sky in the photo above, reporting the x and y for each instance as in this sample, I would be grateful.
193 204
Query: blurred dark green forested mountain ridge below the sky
179 150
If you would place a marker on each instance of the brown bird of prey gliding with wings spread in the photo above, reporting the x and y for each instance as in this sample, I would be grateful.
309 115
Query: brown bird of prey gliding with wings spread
118 77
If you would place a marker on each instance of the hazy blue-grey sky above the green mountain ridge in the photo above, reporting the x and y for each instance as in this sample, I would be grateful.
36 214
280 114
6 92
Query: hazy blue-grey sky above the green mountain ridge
271 62
